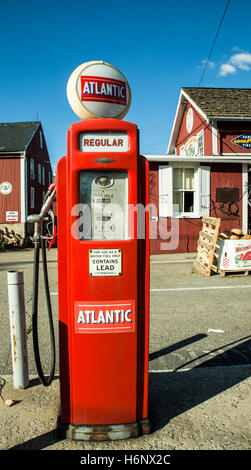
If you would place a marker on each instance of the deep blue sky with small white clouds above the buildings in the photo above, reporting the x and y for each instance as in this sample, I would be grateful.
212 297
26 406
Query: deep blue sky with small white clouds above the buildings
159 45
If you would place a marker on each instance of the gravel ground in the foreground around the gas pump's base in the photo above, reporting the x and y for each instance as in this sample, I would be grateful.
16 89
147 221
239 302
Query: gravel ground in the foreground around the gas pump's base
197 409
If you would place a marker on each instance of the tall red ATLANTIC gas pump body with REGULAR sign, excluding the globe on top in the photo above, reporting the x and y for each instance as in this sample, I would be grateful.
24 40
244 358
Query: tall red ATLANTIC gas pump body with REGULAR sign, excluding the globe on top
103 280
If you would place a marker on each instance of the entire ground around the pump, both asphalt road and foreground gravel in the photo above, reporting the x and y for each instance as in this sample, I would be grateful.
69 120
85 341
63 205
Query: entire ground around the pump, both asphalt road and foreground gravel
199 363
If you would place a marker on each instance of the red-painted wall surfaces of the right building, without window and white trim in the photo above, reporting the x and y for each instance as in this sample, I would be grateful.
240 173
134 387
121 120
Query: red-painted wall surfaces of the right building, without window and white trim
222 175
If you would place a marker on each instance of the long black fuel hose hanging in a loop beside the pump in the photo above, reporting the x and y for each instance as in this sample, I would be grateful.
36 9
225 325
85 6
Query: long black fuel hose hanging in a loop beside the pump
41 375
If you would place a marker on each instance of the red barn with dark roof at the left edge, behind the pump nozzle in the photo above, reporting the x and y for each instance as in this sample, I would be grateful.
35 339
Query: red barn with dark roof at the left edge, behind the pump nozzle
25 174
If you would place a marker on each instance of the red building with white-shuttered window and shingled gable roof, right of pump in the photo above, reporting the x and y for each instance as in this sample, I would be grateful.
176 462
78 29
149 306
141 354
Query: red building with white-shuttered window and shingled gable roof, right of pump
205 171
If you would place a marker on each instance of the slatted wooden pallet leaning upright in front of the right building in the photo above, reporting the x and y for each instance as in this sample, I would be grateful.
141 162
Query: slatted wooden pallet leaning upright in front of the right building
206 246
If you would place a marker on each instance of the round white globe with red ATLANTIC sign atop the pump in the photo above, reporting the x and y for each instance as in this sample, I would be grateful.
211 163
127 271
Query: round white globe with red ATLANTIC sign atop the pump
97 89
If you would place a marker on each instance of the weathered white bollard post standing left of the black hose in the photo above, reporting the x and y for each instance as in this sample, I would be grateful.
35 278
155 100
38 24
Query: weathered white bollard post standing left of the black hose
18 329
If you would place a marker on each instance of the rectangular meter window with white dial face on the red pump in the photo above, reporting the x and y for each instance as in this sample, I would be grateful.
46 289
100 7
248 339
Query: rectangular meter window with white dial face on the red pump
104 201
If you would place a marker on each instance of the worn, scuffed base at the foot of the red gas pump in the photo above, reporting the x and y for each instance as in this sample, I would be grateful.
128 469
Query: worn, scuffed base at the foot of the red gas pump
103 432
